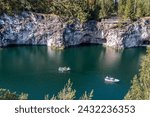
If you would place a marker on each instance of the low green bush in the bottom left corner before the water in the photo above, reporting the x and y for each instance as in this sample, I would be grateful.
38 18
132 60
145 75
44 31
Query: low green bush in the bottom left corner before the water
7 95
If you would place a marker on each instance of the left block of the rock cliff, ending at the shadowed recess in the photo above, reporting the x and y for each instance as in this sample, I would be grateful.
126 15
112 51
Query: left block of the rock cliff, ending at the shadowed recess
30 29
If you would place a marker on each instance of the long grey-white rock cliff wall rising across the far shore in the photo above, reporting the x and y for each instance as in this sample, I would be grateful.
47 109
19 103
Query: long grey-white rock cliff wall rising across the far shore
50 30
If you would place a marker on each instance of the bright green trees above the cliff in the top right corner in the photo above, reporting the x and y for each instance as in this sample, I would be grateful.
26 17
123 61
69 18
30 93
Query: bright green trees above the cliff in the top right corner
133 9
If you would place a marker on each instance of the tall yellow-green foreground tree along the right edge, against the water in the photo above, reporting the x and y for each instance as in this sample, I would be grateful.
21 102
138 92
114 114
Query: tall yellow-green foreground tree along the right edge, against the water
140 88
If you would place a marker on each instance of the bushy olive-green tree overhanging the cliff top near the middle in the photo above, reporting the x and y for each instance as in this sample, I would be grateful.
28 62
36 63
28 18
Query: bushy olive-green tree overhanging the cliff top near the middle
69 9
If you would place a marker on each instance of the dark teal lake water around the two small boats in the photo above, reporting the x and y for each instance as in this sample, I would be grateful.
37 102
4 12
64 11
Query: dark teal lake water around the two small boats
34 70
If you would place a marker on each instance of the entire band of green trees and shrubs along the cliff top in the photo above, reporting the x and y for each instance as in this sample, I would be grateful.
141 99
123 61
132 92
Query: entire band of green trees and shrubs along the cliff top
81 9
